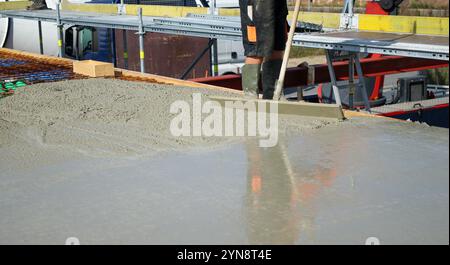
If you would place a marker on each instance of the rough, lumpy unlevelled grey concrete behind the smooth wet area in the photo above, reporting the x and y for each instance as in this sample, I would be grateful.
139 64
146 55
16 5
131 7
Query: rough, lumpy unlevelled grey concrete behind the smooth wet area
108 117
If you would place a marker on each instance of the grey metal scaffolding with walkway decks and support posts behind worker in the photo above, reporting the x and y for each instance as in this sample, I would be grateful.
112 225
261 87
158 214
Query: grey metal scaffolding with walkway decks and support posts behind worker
213 27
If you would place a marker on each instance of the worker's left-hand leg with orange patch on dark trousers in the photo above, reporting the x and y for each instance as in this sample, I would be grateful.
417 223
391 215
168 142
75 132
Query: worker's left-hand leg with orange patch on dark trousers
251 71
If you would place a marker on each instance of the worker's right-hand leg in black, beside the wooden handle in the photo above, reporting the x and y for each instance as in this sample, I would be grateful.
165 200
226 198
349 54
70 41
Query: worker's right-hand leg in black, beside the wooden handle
272 65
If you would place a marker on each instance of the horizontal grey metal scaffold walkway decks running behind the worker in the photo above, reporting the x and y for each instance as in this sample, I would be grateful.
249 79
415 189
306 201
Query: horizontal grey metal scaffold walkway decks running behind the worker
229 28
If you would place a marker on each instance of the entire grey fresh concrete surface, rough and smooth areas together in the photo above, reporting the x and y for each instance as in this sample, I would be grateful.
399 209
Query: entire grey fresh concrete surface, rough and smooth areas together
94 159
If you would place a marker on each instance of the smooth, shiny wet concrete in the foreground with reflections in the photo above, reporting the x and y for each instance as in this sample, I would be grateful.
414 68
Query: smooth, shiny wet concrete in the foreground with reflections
336 185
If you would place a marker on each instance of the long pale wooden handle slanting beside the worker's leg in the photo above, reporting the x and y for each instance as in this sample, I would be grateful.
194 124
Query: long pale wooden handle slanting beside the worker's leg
287 53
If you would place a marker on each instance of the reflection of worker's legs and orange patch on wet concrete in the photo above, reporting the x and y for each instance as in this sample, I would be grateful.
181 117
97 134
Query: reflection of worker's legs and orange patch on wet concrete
279 197
